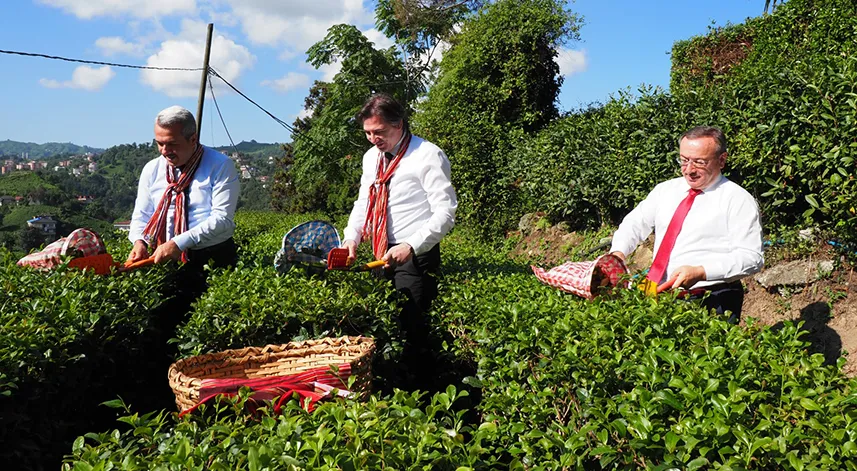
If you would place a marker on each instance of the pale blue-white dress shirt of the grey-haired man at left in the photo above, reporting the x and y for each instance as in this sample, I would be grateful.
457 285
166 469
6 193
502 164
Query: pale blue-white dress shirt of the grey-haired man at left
211 201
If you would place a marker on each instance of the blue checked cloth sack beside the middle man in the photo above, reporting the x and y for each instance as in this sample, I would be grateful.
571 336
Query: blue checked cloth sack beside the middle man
307 245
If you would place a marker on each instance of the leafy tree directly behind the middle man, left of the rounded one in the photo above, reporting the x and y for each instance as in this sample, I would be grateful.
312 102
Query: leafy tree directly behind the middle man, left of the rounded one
328 142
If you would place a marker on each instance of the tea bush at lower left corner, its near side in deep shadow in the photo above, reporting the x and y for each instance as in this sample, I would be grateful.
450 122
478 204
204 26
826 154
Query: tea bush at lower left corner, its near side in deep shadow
68 341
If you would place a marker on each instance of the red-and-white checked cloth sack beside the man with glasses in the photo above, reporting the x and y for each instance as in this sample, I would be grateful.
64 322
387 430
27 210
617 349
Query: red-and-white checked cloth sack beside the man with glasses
585 278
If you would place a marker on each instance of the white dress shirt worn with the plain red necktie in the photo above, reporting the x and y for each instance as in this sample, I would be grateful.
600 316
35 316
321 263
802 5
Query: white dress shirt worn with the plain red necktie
721 232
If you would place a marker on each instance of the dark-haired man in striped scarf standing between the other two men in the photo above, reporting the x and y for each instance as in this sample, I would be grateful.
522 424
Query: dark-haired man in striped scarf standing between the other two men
412 176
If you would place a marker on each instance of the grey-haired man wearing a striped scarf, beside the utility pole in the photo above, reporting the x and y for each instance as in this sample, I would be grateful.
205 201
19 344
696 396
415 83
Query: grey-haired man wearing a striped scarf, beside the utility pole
186 198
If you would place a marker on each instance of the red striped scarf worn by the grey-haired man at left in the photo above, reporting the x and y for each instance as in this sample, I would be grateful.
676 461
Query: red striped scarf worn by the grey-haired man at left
155 232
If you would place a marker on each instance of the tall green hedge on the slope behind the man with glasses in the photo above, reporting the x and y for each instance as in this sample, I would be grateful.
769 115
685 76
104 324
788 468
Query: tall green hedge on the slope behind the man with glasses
787 102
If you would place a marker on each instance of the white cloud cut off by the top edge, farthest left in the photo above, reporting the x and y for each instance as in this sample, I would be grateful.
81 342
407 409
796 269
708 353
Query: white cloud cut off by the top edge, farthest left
87 9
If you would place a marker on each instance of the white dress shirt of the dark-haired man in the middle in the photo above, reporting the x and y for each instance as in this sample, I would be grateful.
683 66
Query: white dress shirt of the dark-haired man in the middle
422 202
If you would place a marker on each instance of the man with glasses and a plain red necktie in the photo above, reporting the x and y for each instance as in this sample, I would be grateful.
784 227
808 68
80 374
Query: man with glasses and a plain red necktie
718 239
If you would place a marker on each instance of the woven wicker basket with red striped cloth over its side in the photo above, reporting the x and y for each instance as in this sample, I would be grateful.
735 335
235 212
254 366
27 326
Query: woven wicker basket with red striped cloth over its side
186 375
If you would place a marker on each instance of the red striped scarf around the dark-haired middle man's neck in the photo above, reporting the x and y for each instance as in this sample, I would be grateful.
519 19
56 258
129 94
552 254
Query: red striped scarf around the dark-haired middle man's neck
379 194
